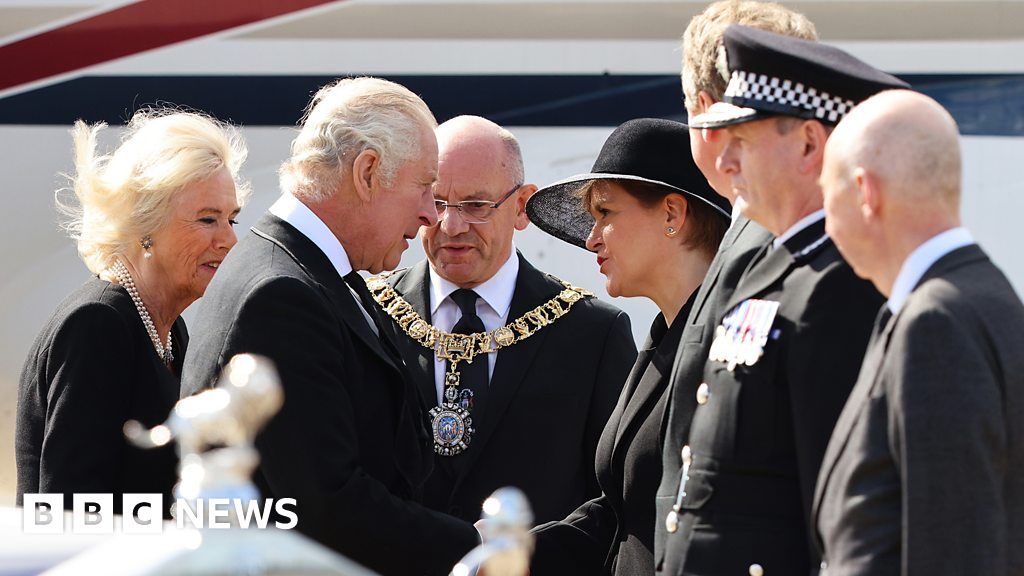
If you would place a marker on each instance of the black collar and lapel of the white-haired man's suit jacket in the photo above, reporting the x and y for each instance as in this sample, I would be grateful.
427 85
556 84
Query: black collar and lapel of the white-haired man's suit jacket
312 260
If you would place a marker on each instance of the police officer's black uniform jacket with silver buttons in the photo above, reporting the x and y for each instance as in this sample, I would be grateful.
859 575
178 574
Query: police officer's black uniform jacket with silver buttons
759 439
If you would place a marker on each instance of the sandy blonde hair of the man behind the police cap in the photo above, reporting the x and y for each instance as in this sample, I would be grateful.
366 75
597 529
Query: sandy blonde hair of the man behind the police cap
704 61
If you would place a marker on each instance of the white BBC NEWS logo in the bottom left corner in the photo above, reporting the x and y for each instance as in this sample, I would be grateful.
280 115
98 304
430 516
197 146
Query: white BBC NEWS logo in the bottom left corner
94 514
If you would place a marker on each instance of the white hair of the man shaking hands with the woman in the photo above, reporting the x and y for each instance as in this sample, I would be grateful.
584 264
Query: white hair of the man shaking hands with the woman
347 118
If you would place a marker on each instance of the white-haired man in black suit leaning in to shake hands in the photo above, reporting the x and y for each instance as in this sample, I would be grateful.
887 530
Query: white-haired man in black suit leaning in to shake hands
350 444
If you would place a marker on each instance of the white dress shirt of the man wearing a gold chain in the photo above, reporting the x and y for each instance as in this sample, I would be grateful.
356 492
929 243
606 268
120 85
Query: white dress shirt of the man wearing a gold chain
493 308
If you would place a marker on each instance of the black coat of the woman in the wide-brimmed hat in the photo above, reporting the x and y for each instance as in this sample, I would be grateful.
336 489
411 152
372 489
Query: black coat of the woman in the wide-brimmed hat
615 533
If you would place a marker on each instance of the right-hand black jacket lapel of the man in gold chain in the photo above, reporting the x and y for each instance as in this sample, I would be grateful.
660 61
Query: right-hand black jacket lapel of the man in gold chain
532 290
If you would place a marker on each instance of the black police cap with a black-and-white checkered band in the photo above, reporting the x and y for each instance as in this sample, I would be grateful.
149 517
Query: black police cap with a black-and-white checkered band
776 75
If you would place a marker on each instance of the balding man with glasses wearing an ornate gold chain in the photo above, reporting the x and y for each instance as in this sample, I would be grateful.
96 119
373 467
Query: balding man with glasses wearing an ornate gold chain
529 415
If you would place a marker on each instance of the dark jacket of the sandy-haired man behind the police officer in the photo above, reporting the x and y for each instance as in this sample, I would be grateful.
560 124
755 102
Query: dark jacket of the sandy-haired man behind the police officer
743 241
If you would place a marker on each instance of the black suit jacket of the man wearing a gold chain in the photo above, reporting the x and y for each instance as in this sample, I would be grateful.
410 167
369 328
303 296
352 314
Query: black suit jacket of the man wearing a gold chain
549 399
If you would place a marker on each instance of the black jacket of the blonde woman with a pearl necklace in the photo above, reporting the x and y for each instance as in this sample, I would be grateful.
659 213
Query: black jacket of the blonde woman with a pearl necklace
92 369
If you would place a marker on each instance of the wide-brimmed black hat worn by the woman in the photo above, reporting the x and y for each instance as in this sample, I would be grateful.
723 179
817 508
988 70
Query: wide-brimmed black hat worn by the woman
646 150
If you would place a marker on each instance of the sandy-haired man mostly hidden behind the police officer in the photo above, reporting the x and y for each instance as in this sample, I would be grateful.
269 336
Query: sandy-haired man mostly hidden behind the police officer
705 77
